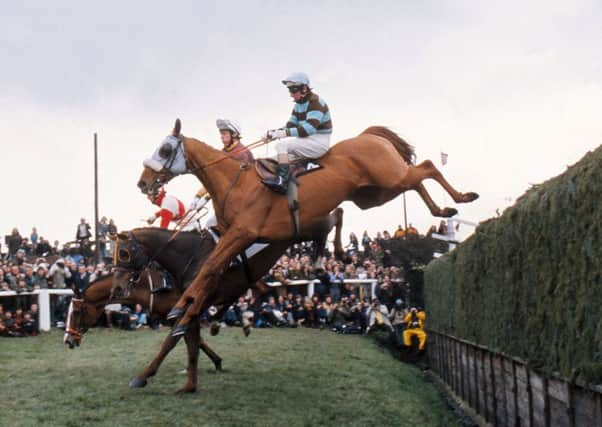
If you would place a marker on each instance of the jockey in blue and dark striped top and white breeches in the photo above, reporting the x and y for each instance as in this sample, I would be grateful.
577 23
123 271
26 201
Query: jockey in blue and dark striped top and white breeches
306 134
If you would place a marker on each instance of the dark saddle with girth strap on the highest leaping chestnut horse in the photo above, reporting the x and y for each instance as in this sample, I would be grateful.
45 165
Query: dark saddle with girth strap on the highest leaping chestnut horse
266 168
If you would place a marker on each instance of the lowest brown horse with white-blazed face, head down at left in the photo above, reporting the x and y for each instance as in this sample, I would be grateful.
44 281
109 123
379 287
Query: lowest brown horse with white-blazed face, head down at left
87 307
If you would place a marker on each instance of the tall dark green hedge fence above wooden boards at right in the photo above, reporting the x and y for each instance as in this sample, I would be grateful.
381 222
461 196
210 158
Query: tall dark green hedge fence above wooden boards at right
529 283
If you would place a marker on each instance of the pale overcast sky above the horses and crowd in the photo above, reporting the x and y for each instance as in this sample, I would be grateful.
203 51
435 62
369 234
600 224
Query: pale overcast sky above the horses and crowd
511 91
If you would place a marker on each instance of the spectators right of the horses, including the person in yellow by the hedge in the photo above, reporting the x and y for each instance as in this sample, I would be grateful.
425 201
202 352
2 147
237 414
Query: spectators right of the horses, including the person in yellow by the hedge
342 299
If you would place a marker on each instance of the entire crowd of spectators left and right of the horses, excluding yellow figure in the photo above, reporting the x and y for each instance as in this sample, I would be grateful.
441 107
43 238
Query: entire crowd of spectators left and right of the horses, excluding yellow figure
342 297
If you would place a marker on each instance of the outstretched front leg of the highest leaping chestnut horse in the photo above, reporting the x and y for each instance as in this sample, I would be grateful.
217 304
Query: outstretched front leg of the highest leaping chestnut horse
206 282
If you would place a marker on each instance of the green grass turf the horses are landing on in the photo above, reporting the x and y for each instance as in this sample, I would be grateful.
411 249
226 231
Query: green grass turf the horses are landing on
295 377
